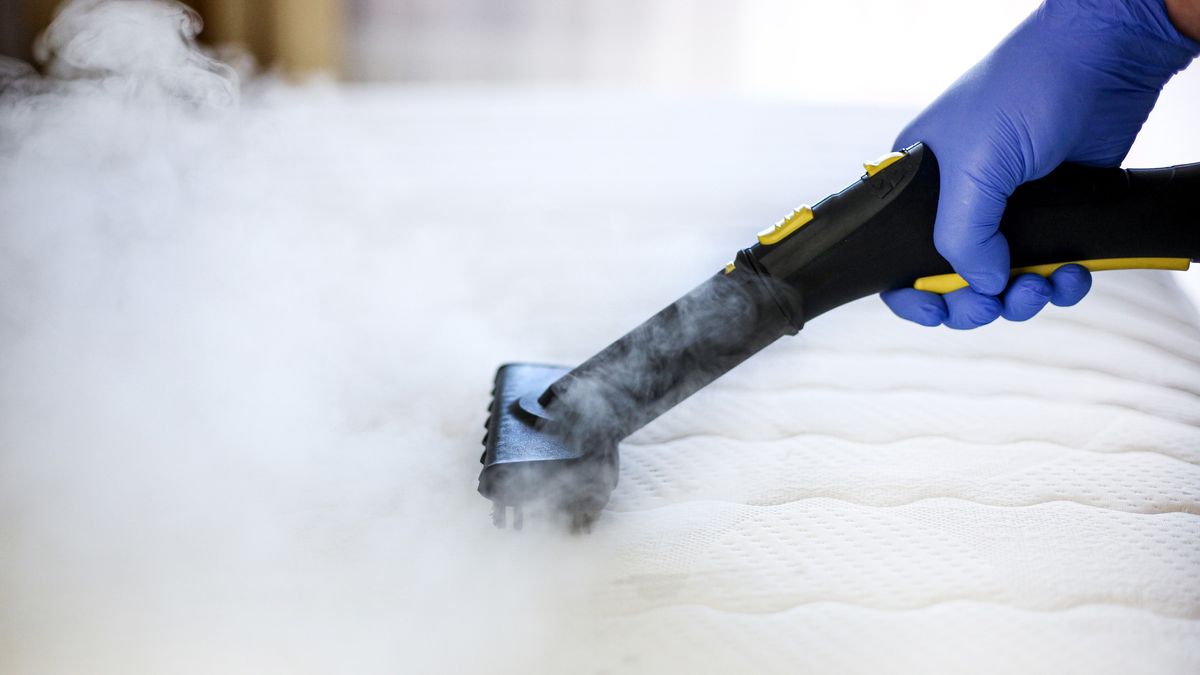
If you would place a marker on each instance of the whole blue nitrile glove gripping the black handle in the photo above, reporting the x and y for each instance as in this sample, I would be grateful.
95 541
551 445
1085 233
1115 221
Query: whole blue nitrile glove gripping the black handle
1075 82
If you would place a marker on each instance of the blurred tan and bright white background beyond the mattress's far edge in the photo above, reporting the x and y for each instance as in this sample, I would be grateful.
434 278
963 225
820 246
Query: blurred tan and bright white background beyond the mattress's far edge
873 52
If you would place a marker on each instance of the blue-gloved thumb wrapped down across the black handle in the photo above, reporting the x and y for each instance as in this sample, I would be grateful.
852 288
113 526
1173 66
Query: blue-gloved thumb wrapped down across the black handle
968 231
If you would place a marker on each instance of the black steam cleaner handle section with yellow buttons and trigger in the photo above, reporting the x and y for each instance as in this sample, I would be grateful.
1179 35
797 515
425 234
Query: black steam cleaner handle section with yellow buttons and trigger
878 234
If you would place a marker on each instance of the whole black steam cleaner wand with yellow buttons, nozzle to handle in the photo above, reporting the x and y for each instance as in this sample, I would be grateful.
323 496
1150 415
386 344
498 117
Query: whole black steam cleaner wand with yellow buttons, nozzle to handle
553 432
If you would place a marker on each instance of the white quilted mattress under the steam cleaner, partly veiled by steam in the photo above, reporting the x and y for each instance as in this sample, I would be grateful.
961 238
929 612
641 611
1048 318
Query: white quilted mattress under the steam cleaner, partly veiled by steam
250 357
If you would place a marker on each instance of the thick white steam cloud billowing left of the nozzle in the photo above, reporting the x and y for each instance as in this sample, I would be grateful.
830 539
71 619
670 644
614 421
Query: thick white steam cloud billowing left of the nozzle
239 405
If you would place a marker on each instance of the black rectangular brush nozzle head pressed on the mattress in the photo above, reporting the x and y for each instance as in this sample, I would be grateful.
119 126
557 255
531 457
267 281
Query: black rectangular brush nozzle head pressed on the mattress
535 457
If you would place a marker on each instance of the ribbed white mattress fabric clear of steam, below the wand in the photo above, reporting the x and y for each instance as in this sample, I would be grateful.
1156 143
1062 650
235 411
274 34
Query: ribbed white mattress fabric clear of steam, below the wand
1021 499
